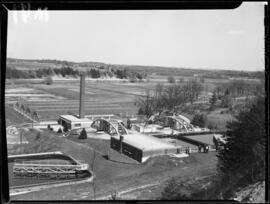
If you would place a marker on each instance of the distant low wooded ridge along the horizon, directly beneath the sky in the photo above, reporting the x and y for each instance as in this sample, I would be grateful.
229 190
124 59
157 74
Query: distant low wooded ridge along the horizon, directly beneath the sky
146 70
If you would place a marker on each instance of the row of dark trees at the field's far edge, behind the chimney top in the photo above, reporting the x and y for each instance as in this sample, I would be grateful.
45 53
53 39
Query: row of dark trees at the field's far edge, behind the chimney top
66 71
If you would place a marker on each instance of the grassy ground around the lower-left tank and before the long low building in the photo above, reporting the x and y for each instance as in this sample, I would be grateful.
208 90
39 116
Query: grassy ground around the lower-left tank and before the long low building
116 174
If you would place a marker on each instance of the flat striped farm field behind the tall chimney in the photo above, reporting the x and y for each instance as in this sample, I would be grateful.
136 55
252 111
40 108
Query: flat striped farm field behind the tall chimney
61 97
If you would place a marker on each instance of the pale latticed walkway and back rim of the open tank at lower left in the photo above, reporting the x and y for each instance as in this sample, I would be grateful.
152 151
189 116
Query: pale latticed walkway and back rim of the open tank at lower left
49 165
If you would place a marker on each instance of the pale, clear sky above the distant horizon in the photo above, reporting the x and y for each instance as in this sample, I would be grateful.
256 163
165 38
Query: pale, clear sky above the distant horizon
207 39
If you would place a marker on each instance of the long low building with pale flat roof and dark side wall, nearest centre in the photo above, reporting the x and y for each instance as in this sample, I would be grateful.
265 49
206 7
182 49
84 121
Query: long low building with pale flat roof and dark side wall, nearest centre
141 147
